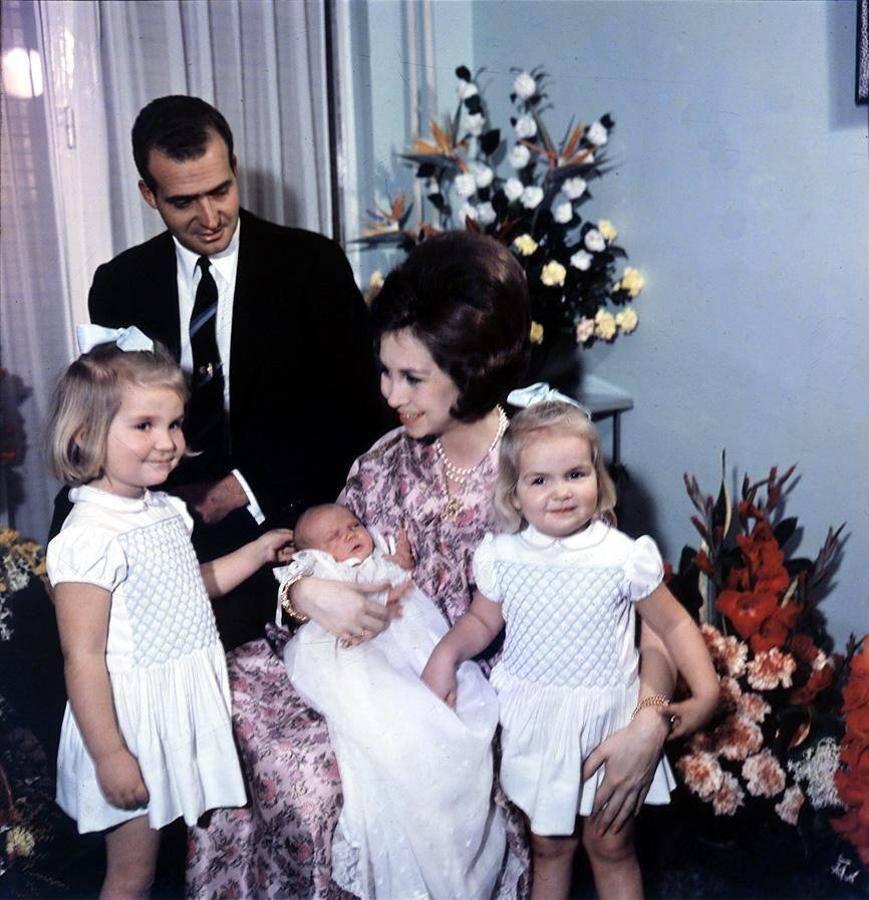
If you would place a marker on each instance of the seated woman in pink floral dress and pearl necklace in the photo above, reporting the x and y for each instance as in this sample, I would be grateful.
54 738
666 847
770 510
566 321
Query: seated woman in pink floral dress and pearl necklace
452 325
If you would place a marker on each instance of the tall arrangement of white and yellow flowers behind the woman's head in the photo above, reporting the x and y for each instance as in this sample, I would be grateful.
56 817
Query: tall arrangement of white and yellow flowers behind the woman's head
570 262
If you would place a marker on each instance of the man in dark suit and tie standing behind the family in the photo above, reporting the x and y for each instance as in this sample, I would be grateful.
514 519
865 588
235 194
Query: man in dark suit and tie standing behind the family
284 391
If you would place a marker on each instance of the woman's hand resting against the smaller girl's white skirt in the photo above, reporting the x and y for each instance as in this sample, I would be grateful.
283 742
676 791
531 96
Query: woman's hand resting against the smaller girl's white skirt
631 756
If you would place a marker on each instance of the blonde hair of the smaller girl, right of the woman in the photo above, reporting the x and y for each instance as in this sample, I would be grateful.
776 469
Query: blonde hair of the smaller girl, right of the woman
542 420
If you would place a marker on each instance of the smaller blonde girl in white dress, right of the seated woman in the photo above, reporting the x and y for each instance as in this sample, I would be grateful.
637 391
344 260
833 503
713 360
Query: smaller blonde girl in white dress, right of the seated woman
565 583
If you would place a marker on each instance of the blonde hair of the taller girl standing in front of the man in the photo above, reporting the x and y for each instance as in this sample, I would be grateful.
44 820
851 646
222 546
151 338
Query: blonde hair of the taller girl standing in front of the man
87 398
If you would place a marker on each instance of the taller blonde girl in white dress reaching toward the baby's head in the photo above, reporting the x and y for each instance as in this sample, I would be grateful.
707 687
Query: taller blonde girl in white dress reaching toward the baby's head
146 735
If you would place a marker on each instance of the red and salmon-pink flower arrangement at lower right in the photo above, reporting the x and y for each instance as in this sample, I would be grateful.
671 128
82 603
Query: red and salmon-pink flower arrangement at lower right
778 743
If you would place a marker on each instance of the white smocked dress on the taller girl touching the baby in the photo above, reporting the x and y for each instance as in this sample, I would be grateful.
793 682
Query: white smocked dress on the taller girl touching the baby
166 664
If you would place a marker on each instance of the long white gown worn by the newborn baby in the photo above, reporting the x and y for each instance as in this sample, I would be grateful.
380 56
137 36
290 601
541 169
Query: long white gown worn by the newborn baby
418 819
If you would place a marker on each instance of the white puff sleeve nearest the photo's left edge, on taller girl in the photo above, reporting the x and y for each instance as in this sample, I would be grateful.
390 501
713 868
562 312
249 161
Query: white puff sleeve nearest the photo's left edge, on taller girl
86 554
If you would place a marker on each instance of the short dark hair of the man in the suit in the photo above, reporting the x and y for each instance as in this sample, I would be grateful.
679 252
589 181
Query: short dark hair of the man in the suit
178 126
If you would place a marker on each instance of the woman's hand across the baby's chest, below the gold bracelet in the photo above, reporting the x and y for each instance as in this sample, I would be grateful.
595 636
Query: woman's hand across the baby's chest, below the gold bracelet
344 610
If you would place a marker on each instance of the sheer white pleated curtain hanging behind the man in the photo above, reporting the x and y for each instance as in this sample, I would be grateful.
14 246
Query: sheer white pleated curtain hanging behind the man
69 186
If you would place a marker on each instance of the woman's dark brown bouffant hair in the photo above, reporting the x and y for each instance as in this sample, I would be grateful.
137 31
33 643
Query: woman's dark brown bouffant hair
465 297
